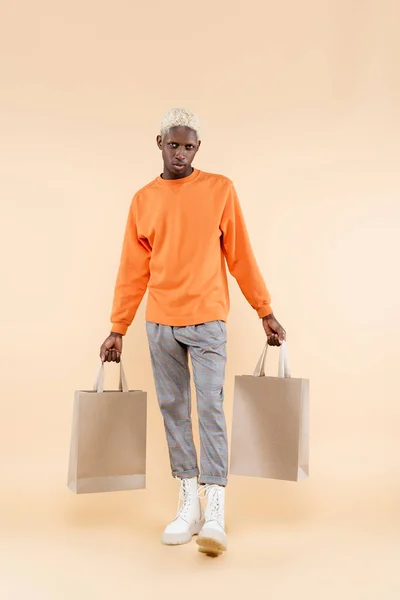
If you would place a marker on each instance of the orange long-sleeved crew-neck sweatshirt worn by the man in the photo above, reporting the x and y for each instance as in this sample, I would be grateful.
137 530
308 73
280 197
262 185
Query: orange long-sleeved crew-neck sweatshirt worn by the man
178 235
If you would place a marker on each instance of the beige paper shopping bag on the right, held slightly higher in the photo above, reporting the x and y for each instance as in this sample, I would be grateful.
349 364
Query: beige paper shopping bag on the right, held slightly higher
270 429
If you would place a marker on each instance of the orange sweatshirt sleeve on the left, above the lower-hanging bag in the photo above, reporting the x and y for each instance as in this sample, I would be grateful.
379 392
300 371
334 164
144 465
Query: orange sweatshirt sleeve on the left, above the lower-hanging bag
133 275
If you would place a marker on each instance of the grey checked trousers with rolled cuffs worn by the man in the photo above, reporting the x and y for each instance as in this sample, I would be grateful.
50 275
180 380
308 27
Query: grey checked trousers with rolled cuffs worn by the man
169 350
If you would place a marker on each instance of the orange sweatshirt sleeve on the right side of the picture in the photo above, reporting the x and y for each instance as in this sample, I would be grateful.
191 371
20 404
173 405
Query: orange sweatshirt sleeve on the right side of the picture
240 258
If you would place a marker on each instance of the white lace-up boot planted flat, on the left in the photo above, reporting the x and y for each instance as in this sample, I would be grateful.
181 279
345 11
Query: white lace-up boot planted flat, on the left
189 518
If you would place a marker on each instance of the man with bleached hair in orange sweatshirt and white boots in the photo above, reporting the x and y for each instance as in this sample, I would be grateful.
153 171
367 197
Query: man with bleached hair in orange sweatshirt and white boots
181 228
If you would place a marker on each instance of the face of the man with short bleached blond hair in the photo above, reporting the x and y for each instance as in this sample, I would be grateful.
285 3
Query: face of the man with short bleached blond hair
179 147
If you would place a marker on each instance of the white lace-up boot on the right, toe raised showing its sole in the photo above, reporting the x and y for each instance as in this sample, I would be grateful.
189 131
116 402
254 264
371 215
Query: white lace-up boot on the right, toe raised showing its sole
212 538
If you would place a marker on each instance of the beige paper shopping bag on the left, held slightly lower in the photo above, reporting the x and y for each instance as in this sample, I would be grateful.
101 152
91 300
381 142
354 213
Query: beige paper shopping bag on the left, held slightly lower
108 439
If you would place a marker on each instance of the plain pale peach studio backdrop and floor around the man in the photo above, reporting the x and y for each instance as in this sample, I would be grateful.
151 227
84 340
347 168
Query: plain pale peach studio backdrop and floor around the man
300 105
